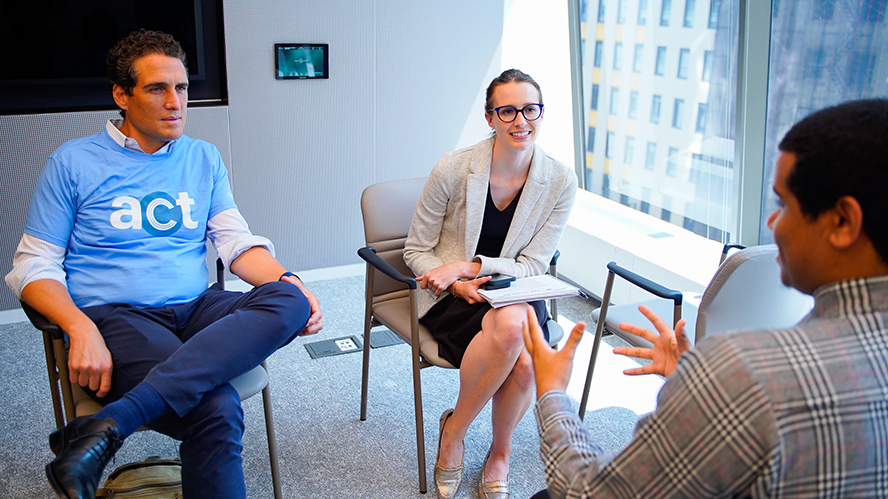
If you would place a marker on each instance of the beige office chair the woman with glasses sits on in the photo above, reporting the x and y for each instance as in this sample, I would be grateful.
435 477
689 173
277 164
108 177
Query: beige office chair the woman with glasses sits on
387 210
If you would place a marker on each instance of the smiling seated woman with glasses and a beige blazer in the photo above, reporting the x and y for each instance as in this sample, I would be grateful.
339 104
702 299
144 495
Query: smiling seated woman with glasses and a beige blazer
498 207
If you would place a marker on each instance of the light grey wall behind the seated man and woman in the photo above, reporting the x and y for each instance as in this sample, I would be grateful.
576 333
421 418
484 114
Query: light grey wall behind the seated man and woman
407 82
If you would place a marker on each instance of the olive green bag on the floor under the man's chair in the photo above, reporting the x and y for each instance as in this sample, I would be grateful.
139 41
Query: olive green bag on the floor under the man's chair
154 478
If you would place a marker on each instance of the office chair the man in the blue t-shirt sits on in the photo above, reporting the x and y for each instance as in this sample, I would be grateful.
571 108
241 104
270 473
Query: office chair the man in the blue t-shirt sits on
70 401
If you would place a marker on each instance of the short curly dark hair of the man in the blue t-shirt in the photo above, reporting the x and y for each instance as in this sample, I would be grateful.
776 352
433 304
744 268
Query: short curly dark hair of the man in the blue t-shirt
122 58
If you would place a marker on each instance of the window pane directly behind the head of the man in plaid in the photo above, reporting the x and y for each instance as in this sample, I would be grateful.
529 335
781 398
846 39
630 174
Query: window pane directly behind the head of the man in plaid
822 53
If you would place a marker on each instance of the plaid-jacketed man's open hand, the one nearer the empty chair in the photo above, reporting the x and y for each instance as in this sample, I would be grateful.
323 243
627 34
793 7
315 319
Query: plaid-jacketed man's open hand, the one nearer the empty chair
668 345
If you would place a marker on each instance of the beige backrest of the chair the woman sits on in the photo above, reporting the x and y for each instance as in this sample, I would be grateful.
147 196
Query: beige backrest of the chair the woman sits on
387 209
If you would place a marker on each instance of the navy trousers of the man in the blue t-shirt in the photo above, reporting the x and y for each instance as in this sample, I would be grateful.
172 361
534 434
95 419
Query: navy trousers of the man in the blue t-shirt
188 353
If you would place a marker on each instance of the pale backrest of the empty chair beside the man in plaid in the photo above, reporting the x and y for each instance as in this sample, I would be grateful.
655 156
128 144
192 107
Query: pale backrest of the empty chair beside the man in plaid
746 293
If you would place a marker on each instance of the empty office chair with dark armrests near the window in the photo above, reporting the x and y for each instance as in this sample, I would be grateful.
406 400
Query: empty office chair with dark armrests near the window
745 293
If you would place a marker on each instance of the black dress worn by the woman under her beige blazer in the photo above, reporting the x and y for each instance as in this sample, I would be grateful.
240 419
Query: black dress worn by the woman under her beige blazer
453 321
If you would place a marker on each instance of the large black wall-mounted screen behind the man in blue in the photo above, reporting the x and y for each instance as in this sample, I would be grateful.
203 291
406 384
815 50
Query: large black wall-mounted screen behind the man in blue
54 53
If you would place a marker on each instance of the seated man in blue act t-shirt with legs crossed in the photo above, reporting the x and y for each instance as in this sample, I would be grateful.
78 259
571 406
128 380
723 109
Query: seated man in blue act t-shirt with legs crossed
114 252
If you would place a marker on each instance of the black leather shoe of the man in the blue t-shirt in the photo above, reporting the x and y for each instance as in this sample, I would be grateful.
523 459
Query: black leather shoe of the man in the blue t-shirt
84 447
